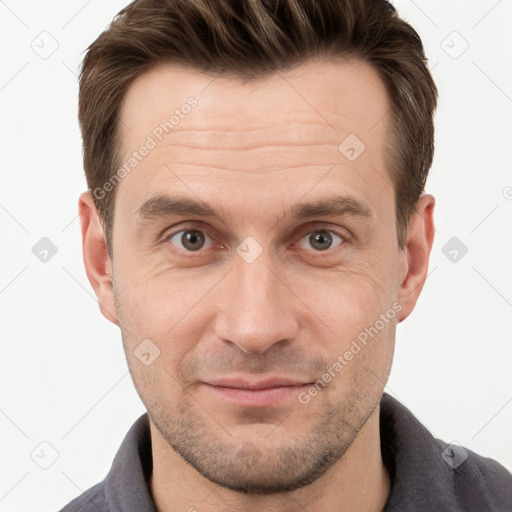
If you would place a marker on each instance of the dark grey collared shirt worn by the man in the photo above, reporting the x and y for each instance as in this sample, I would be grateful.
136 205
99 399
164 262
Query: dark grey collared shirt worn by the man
426 473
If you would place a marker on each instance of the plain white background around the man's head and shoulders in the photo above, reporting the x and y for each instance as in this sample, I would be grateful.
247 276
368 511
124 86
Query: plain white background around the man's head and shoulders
63 373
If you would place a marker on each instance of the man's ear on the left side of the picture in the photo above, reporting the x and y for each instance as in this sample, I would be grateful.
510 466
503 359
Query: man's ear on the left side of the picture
96 259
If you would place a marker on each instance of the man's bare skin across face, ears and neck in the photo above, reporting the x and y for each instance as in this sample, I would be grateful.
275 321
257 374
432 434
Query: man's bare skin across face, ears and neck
255 150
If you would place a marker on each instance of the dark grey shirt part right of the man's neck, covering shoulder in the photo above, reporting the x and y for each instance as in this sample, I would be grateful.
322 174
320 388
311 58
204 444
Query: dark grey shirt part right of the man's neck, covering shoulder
430 474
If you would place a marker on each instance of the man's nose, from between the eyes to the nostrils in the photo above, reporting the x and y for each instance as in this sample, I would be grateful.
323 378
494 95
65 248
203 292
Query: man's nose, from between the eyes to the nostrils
255 308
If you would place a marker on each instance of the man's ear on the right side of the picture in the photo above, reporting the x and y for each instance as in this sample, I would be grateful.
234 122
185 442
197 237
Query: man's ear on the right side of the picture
415 255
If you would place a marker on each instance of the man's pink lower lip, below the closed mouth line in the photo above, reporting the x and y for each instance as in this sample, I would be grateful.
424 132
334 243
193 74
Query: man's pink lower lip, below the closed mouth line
257 397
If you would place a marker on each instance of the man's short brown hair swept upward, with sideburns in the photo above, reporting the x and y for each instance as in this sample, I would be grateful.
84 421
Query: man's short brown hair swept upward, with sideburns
250 39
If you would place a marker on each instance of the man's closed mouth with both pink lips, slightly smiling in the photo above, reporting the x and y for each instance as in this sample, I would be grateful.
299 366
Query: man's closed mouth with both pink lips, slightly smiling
256 394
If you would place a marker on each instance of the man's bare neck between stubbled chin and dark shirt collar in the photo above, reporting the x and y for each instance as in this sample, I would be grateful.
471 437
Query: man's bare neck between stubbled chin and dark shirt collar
359 481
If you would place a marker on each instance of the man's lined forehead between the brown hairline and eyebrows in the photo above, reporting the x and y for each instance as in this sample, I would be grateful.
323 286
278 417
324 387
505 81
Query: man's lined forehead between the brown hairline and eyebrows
287 131
